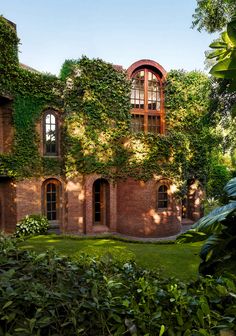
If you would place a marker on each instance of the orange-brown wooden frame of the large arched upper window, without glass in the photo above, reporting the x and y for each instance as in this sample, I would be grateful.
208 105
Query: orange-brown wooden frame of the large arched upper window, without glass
145 112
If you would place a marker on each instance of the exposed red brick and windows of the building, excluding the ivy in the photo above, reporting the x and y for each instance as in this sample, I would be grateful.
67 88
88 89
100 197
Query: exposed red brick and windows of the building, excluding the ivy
91 203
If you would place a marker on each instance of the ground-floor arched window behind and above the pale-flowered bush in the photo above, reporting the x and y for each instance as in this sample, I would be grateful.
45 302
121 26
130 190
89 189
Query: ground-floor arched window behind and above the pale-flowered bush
51 197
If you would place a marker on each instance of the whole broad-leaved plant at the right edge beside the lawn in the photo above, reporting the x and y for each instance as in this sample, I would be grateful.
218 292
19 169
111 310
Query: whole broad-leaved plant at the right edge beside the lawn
218 229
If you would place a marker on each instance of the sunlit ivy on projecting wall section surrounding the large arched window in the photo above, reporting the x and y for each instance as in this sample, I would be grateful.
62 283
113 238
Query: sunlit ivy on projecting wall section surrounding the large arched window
97 126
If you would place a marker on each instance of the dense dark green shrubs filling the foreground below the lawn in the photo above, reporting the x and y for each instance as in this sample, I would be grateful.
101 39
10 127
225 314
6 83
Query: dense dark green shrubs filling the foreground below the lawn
45 294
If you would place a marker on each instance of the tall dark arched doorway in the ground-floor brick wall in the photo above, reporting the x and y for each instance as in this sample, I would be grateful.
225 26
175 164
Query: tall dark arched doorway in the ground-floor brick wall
101 204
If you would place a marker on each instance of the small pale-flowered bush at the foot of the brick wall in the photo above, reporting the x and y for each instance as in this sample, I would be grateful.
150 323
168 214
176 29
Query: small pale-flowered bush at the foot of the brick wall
32 225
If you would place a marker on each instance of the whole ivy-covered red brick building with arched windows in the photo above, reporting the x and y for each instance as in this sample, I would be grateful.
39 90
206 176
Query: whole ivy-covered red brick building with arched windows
101 149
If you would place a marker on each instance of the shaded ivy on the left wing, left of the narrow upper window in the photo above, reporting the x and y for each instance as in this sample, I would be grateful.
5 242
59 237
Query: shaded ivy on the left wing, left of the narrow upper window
32 92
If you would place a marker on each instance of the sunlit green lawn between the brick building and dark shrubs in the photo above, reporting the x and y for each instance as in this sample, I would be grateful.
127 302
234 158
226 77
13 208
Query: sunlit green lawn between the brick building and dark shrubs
180 261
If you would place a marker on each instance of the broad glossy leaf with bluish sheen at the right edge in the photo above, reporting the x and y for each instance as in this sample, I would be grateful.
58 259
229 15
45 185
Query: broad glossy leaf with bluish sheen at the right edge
212 222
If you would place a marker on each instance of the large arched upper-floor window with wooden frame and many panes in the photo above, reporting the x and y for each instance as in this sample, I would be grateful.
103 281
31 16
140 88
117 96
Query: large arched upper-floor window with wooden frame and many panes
146 102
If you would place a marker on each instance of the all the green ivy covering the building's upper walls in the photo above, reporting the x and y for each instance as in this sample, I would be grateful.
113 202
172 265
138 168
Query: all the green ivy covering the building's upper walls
93 98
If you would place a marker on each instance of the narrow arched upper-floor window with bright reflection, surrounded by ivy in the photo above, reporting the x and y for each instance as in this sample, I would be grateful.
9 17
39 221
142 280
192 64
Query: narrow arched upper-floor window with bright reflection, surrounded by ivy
50 134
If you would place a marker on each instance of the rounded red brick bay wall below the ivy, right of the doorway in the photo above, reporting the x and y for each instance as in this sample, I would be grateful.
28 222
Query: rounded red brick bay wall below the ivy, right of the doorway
137 213
